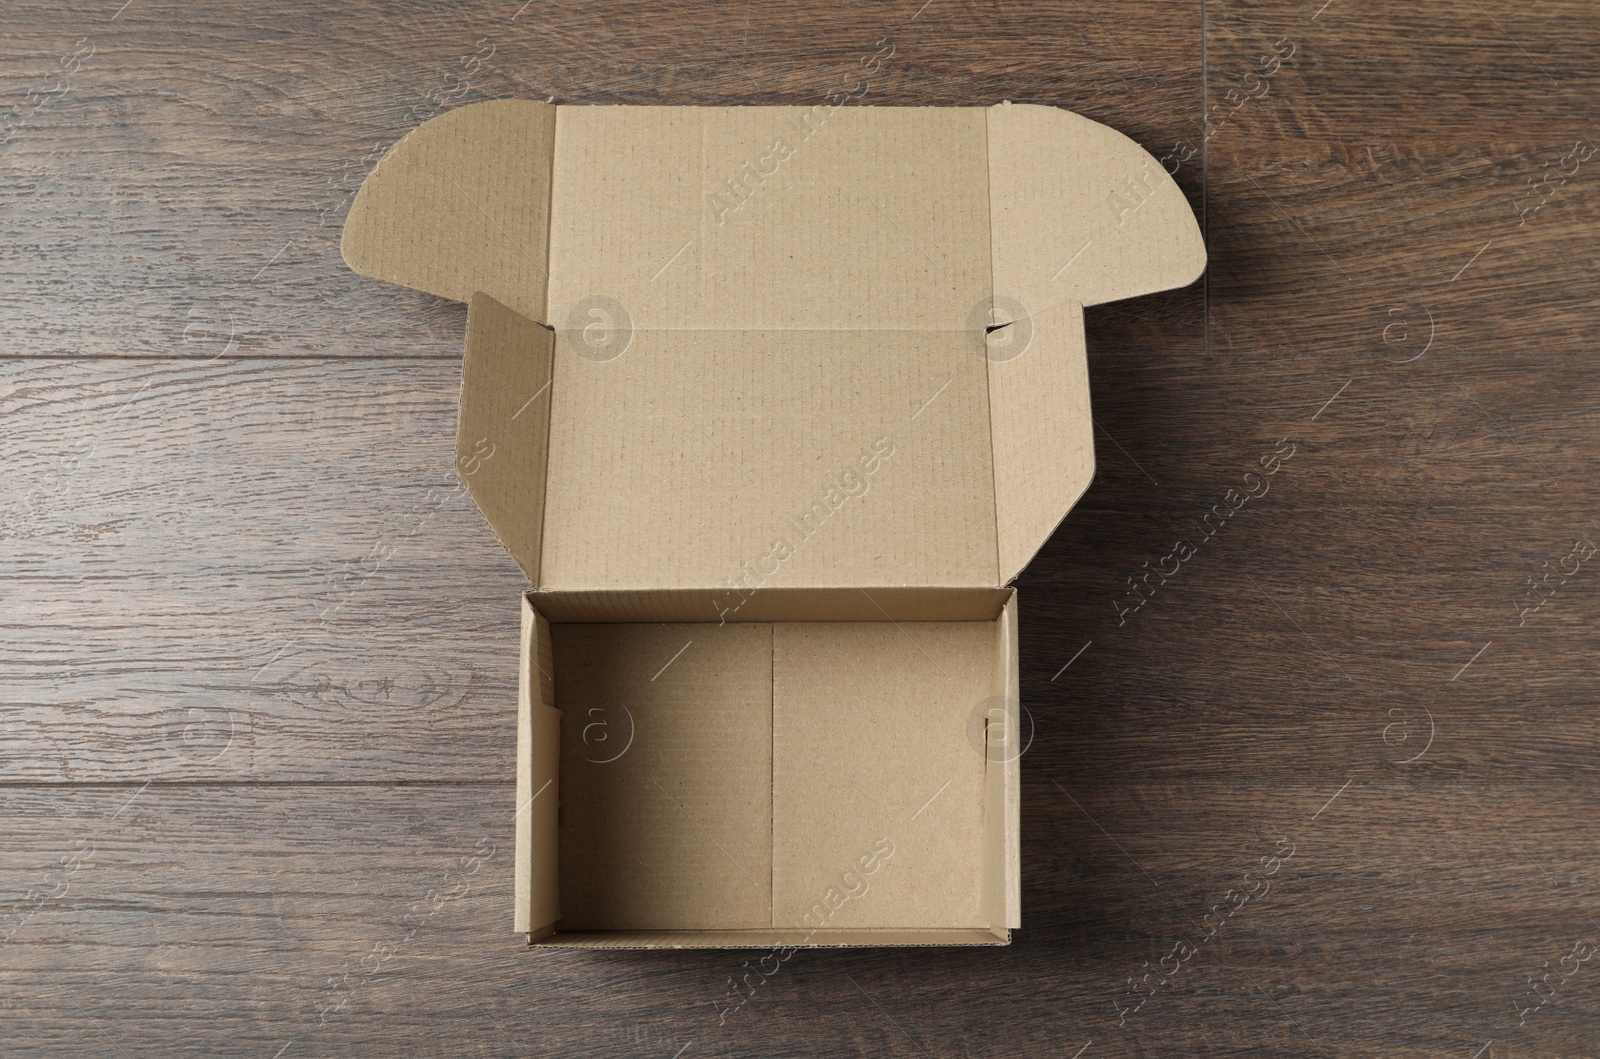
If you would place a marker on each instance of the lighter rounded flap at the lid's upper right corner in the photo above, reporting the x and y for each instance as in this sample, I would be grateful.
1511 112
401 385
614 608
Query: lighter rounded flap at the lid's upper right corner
1082 214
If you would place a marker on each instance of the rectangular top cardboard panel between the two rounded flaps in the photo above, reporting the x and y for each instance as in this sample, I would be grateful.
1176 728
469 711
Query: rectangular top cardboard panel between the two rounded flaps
762 220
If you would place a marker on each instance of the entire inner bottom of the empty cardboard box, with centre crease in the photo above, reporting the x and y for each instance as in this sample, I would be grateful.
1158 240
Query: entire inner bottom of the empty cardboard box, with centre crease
790 775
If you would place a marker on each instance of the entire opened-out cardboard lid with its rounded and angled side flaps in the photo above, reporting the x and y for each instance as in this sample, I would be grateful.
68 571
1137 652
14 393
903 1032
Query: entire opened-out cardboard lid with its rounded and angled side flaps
758 310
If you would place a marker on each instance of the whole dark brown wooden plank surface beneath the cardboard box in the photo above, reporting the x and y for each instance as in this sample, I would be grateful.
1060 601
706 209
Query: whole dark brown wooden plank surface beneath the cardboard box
257 687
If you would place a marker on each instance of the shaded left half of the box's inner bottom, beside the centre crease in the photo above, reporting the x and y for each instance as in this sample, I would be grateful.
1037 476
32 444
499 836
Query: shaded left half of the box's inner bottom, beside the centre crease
666 777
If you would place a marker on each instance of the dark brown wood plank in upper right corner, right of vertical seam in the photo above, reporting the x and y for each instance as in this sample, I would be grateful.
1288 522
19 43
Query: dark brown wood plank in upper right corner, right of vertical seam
1369 177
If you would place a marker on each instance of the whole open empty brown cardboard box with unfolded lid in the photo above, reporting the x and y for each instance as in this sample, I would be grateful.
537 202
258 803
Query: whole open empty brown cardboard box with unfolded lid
772 406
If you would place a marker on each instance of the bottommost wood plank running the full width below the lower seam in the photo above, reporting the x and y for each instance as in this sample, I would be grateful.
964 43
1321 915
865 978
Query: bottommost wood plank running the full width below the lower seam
201 921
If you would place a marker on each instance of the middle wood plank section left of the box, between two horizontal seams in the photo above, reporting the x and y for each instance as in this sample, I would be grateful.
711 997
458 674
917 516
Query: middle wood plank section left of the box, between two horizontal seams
249 569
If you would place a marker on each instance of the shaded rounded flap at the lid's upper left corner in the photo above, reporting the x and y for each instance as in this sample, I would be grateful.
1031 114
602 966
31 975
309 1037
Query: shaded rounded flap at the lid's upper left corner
463 204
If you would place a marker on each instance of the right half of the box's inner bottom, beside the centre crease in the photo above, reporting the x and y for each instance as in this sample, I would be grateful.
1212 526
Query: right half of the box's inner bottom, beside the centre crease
903 770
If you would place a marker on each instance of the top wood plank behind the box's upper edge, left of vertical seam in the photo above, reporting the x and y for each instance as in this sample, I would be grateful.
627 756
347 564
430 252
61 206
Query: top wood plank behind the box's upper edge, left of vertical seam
193 209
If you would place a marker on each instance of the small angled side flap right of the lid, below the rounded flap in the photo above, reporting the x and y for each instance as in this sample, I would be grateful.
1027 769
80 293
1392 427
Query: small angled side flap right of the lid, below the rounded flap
1042 431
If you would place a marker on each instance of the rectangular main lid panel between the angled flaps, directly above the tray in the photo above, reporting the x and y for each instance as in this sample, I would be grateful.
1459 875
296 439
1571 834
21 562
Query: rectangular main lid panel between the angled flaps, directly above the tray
756 455
